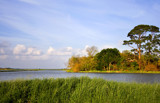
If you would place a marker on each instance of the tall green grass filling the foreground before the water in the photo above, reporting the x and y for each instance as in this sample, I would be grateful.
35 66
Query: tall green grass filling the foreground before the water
77 90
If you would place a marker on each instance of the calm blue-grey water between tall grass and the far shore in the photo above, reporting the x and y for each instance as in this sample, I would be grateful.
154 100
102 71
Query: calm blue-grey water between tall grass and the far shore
139 78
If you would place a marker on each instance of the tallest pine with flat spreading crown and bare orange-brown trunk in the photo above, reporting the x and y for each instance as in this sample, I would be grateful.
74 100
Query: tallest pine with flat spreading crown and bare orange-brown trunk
137 37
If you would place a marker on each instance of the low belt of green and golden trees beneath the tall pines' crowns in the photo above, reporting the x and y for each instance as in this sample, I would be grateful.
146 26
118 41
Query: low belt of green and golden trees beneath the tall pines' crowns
112 59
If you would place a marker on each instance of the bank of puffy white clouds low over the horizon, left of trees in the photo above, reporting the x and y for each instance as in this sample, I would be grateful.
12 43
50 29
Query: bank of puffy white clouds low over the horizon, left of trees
32 57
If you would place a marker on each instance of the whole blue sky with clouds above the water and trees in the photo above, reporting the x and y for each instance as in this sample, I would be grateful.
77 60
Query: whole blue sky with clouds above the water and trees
46 33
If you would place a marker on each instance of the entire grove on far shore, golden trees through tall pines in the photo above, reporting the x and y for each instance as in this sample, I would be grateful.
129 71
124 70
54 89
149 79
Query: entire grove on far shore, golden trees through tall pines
144 55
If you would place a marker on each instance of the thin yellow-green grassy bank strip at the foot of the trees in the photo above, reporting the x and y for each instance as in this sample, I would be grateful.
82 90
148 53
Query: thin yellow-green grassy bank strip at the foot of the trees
97 71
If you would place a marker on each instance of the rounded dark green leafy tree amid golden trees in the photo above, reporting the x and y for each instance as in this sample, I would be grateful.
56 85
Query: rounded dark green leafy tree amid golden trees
107 57
